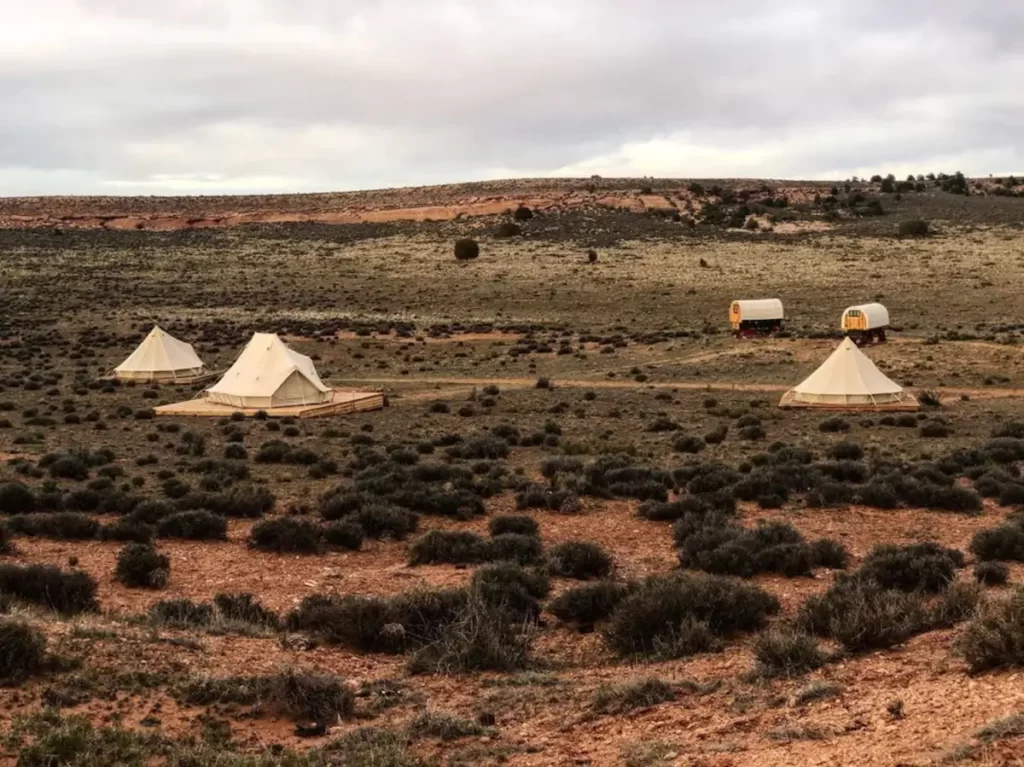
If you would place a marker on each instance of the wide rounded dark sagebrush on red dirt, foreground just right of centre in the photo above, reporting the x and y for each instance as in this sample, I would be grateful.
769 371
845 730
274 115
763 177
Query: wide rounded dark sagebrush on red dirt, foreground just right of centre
679 615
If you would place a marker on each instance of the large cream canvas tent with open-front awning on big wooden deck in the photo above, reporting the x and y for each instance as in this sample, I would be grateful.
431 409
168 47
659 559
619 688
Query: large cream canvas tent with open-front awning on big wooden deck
268 374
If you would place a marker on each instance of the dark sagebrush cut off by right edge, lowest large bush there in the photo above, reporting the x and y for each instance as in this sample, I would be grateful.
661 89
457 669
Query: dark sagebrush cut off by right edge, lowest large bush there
996 638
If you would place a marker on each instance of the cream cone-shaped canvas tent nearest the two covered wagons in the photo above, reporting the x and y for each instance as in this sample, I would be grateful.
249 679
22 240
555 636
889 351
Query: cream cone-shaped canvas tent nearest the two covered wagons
848 380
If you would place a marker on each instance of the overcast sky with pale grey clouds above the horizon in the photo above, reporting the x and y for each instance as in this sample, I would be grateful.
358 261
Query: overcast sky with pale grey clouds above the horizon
187 97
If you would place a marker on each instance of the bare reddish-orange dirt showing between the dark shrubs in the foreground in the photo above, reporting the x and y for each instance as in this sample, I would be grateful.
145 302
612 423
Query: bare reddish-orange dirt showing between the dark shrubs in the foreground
944 705
